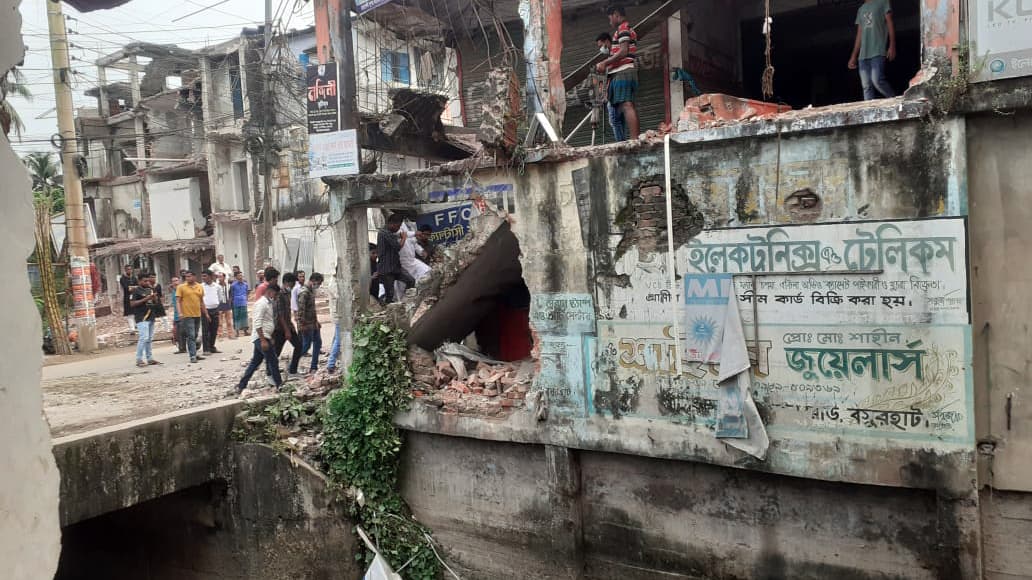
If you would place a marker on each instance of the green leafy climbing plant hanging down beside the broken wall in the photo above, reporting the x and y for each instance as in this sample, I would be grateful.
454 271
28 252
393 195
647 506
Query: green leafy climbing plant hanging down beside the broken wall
362 448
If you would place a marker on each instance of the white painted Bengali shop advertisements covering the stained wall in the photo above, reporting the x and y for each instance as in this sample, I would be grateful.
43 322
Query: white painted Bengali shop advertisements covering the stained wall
855 330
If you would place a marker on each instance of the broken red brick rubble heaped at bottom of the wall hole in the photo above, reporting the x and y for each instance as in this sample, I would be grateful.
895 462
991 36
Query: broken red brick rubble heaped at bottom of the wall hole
456 384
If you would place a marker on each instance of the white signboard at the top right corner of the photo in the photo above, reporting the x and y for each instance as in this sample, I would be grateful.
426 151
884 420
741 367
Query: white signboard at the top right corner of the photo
1002 39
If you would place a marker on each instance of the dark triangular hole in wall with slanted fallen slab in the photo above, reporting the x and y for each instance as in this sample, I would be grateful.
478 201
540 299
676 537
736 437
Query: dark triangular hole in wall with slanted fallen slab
488 307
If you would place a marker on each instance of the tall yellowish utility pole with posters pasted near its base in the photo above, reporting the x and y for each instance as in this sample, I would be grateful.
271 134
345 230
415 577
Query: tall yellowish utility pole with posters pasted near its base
79 253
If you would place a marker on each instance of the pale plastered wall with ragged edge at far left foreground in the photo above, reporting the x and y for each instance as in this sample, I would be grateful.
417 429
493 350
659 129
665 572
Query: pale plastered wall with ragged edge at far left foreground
29 530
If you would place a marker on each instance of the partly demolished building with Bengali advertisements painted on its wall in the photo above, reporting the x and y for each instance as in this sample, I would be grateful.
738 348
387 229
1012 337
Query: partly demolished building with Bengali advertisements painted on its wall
846 245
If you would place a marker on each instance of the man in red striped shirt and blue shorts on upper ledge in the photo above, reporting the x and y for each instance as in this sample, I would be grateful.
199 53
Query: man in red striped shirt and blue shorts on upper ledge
621 69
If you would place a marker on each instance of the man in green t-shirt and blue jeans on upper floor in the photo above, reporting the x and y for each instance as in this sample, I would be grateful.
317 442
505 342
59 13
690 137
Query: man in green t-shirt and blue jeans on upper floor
876 44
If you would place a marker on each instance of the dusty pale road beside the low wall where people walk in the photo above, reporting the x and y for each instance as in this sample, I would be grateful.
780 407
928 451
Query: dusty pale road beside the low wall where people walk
107 390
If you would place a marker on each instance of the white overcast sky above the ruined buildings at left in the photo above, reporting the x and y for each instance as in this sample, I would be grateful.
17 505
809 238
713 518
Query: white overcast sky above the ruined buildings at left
103 33
